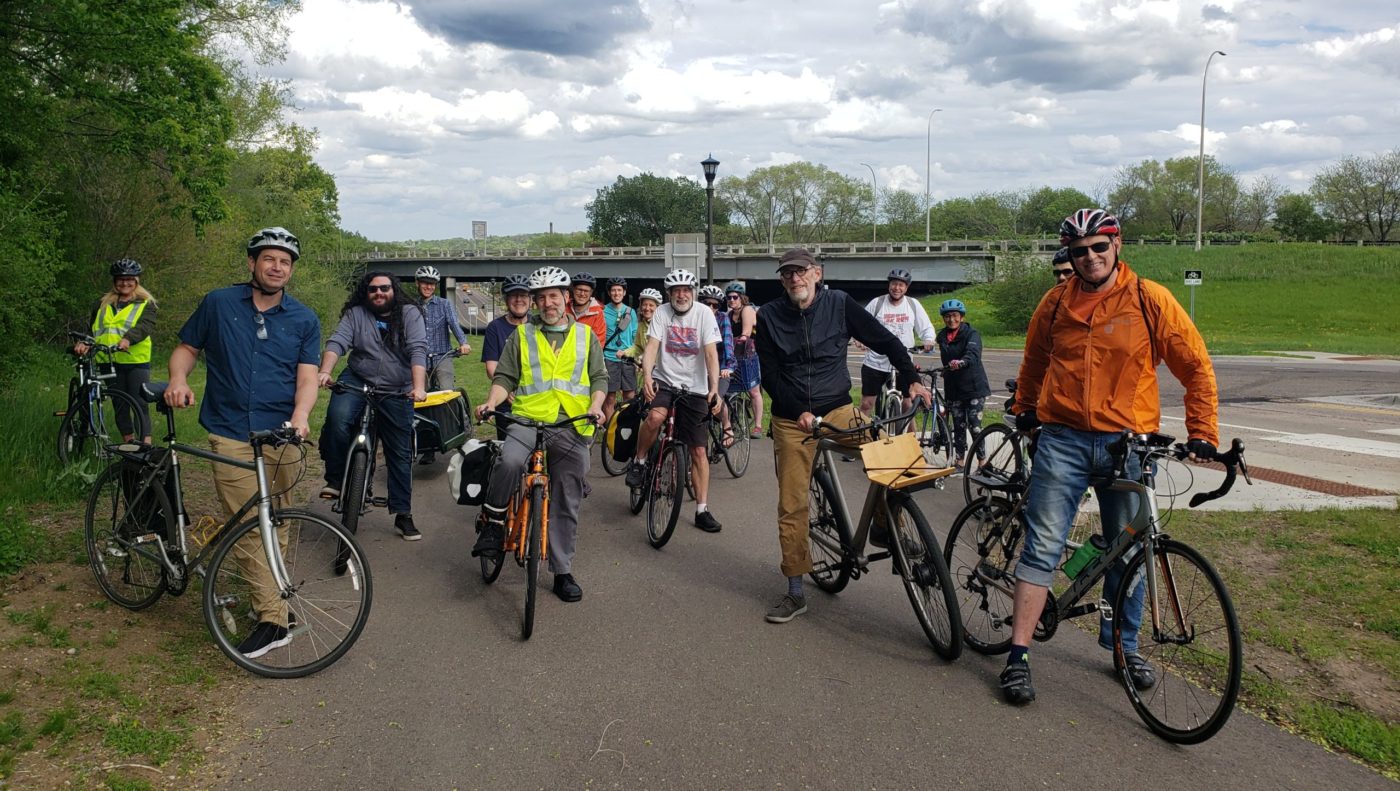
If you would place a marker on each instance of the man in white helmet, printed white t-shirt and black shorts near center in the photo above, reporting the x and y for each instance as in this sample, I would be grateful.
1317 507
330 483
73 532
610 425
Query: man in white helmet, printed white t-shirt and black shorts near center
681 370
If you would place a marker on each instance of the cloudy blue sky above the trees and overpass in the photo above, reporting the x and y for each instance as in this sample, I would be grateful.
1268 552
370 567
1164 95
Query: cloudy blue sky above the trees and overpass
437 113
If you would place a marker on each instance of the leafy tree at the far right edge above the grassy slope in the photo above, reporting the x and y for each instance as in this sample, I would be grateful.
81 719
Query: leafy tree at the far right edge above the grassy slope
1361 194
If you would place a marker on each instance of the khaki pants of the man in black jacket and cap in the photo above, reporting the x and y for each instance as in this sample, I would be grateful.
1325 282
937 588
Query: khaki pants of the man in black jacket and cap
794 458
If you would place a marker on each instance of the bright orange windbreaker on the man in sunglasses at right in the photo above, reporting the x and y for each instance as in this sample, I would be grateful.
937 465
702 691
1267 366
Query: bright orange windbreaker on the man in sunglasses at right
1101 376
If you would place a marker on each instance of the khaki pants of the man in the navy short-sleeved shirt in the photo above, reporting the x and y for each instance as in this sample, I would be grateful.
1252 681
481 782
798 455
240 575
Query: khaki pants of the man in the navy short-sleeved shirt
234 486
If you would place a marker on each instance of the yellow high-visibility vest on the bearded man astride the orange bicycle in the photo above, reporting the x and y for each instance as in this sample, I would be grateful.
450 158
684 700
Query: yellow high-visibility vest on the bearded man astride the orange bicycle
552 383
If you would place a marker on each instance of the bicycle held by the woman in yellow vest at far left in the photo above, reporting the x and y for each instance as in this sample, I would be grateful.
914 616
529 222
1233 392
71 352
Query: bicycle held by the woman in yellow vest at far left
92 408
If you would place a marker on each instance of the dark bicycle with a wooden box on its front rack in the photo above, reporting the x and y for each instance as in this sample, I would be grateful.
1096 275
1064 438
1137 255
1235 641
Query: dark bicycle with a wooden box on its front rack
897 470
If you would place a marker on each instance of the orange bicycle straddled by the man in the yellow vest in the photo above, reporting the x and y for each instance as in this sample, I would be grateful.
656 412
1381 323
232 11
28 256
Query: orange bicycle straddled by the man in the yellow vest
527 517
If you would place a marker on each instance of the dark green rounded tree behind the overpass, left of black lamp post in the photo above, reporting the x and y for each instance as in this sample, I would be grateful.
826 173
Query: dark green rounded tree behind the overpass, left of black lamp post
643 209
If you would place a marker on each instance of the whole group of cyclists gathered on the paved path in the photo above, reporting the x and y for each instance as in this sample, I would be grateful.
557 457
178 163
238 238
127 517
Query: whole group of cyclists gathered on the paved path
558 352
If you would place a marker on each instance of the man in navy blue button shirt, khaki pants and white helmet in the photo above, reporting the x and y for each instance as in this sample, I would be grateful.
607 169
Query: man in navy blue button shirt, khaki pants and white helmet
261 349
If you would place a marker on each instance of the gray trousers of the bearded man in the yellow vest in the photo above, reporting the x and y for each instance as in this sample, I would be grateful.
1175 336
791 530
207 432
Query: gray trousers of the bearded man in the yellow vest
568 464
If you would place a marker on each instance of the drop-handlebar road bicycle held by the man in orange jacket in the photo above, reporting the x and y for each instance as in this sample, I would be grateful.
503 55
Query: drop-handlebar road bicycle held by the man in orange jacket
1189 624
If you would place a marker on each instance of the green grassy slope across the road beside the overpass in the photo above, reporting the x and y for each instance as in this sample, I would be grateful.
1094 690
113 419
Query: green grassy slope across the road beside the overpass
1262 297
